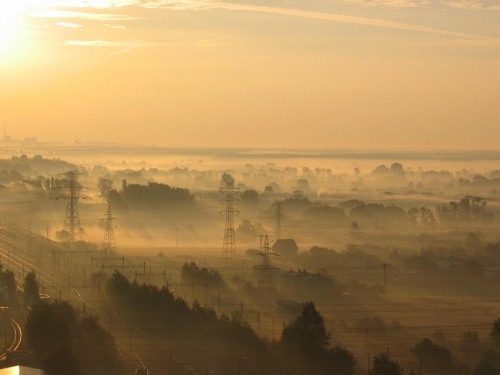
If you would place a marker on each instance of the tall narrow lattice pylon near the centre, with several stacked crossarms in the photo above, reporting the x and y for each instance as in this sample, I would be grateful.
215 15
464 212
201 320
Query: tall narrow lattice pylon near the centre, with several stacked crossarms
229 201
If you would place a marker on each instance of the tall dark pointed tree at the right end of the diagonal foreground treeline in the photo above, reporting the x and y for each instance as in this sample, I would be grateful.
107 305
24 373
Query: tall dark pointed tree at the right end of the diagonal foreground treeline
307 332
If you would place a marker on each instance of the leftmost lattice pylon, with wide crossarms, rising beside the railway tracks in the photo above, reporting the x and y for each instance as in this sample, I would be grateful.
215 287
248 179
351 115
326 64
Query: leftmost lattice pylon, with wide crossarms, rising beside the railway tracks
70 191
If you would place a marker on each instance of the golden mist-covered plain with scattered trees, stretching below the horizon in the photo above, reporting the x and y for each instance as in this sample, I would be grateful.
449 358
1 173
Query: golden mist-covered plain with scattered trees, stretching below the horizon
340 262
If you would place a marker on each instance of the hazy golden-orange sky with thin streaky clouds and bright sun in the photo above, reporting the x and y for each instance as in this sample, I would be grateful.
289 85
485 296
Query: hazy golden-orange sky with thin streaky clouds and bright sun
361 74
